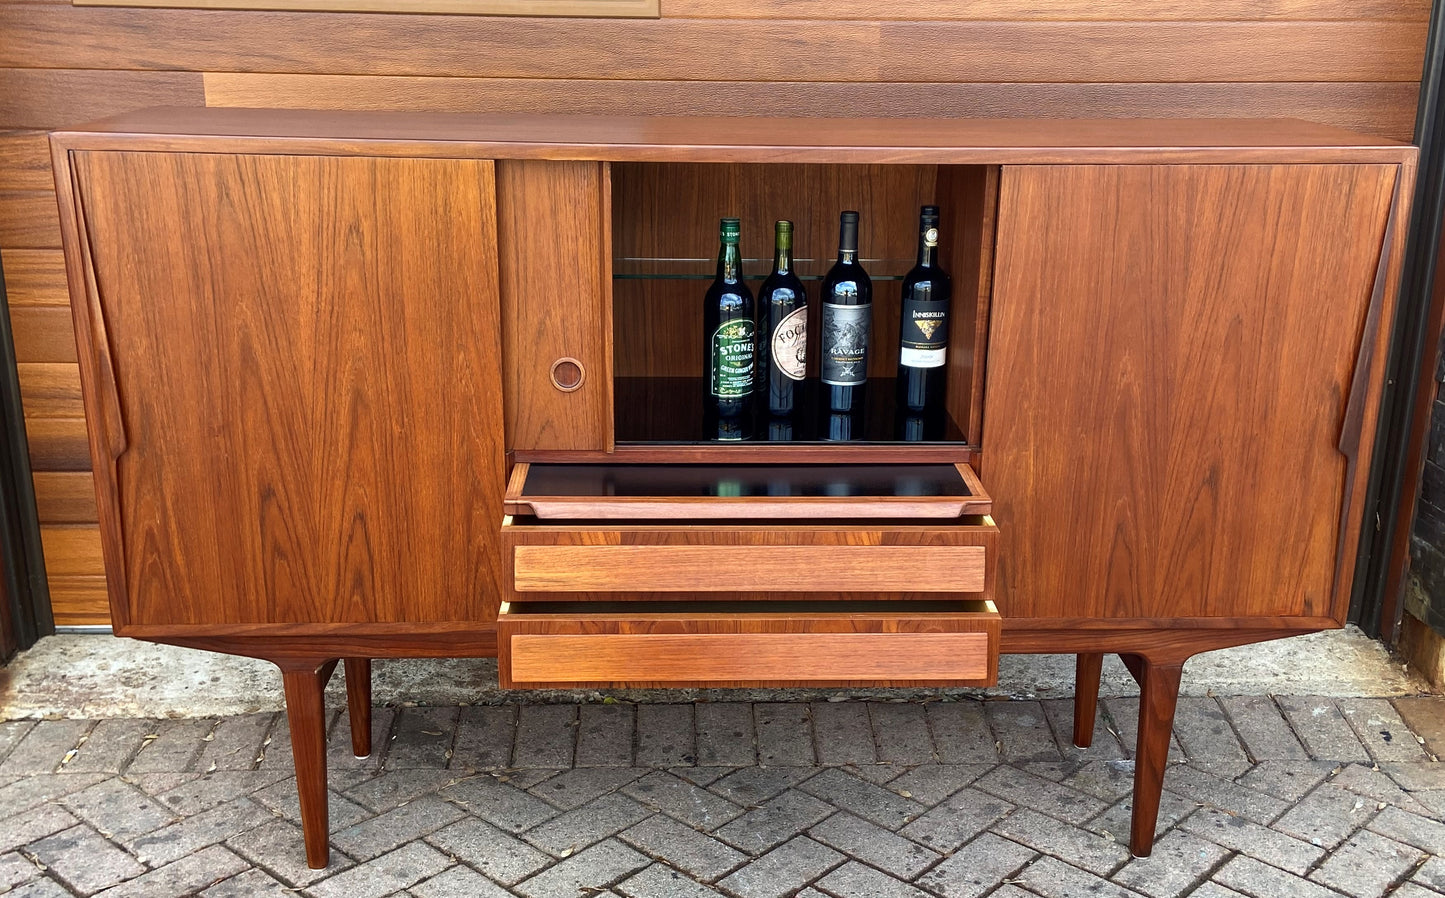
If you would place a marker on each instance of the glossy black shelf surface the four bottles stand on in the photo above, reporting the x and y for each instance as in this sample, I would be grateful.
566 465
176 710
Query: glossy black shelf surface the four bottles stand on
671 411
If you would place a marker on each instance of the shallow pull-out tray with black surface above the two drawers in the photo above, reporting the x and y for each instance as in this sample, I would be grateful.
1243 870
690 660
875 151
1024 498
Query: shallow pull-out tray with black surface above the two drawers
732 492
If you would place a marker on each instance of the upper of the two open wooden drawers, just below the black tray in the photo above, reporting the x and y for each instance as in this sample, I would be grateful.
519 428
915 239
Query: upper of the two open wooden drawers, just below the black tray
875 560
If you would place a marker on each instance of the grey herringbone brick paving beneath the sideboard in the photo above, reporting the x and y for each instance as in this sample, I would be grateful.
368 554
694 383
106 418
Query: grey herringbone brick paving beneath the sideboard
1267 797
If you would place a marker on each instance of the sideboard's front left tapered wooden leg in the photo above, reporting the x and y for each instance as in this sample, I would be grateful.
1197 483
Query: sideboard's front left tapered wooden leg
306 712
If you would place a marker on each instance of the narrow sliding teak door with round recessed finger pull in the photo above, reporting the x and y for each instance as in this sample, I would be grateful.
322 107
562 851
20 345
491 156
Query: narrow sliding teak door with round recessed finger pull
553 254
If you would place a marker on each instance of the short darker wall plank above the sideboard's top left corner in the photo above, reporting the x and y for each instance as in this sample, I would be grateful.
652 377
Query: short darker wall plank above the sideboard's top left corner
60 98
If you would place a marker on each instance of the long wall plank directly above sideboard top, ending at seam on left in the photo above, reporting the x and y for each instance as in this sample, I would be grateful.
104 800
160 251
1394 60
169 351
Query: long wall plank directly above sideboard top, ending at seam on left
1375 108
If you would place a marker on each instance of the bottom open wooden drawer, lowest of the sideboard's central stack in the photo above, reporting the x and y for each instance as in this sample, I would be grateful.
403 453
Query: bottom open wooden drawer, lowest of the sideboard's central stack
748 644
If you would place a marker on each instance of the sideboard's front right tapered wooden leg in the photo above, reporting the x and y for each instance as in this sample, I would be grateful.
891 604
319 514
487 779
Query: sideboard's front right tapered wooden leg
1160 695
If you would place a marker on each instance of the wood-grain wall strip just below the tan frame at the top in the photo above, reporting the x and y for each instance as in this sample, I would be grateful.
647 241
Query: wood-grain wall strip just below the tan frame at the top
678 48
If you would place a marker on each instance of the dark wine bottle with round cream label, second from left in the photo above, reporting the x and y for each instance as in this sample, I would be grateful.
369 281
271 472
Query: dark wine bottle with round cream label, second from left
782 329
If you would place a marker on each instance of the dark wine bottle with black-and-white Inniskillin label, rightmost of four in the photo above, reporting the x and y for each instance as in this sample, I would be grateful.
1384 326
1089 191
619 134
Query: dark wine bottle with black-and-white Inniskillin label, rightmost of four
924 329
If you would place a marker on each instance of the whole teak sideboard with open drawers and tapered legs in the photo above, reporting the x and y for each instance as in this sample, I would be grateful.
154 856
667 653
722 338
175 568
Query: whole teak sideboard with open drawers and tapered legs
372 385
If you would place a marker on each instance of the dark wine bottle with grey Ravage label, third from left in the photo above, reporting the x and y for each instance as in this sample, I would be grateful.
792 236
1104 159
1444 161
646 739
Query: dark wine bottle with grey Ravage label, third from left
847 309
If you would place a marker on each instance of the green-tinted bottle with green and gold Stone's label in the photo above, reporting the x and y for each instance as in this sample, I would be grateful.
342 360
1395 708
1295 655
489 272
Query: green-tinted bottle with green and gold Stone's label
729 343
